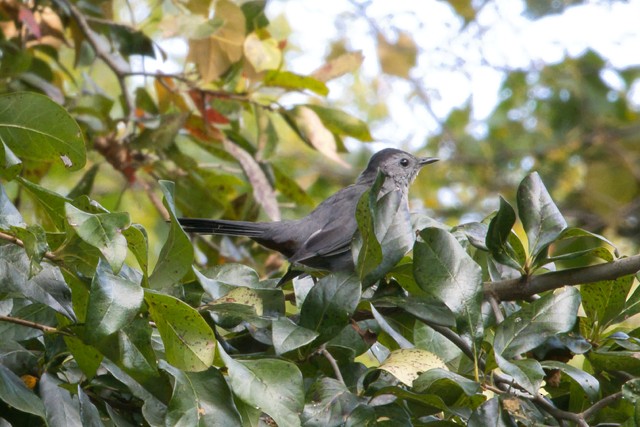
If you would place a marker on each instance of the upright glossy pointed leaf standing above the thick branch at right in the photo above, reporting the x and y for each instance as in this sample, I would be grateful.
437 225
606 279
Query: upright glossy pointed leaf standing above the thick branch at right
540 217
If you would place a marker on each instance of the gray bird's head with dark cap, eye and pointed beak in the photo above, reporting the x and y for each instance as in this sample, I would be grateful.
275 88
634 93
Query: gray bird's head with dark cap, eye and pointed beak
396 164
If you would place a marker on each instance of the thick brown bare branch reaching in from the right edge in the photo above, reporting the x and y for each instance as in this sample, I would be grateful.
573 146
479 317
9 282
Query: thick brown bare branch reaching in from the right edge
526 286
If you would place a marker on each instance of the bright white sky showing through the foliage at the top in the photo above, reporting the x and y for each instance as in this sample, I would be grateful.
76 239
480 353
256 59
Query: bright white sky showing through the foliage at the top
457 66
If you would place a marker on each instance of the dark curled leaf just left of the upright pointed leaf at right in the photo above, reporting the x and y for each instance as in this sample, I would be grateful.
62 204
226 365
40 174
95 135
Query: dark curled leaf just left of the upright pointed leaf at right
499 233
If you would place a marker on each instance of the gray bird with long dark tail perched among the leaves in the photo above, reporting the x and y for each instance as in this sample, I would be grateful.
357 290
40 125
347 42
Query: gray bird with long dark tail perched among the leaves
323 238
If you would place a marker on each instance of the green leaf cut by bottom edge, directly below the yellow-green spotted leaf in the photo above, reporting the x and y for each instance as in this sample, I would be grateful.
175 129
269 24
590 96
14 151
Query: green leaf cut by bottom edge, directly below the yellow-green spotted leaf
200 399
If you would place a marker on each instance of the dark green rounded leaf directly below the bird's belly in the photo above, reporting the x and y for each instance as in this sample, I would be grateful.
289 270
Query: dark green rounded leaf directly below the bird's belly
327 307
